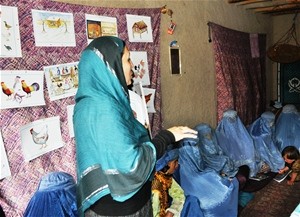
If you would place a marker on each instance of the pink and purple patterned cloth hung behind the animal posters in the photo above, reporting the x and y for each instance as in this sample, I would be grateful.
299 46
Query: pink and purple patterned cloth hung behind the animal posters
16 191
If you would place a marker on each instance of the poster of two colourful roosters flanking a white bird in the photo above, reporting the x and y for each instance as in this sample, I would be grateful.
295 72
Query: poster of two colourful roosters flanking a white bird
21 88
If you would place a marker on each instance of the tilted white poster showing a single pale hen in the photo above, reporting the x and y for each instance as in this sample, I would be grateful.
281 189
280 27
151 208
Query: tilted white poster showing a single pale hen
40 137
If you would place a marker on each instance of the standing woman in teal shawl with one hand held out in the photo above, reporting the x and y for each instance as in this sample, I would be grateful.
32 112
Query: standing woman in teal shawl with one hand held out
115 156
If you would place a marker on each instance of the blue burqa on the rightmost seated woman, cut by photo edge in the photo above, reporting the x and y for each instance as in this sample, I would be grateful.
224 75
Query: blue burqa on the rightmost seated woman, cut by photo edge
288 128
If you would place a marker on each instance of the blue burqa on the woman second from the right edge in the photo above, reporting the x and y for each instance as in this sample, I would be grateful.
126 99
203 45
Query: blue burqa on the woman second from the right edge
262 131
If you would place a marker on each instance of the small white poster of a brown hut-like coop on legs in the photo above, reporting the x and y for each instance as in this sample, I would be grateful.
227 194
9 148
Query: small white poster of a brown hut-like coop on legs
139 28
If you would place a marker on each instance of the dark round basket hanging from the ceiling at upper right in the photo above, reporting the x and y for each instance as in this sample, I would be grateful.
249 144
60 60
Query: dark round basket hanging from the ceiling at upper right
283 51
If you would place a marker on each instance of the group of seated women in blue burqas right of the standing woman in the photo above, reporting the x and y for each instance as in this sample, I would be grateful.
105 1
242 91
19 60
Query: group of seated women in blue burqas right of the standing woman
216 166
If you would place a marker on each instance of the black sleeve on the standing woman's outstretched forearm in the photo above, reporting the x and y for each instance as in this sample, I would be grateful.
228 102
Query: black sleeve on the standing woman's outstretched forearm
161 141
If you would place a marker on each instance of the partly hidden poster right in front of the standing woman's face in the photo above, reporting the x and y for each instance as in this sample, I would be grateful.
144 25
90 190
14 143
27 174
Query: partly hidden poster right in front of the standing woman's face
140 67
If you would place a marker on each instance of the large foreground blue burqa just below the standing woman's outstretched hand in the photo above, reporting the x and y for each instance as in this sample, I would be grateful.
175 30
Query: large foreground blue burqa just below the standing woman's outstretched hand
208 194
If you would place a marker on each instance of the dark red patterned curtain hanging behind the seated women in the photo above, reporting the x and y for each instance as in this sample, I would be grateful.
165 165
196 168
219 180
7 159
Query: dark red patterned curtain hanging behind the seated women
240 72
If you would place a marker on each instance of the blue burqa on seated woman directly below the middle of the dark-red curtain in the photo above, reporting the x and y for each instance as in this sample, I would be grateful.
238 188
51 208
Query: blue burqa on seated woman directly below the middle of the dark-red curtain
236 142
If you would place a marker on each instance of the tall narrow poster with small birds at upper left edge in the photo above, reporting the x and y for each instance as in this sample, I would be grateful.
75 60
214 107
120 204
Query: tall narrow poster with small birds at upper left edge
10 32
